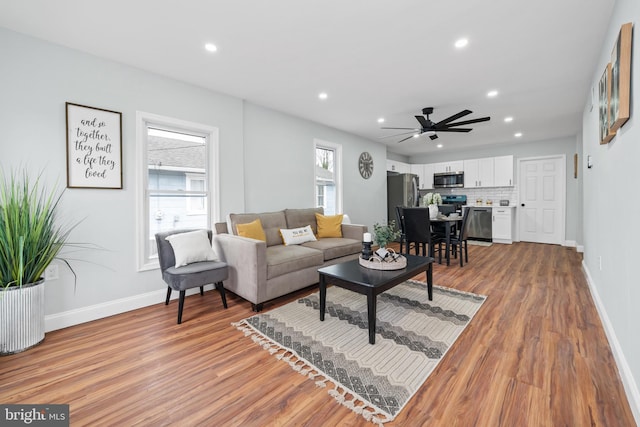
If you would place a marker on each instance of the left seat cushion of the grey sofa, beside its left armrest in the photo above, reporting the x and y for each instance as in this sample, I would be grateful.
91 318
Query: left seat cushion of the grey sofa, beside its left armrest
283 259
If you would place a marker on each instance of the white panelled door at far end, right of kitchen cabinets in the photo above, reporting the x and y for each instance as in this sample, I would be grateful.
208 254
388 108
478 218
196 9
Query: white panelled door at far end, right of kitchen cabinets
542 200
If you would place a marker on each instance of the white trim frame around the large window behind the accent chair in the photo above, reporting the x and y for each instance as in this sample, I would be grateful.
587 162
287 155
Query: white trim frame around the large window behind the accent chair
210 133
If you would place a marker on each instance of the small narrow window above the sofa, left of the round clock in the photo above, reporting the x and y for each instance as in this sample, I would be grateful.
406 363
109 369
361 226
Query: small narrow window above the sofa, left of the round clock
328 173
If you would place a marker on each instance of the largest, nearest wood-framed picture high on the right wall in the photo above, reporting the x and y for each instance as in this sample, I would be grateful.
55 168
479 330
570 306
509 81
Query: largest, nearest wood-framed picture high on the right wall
620 79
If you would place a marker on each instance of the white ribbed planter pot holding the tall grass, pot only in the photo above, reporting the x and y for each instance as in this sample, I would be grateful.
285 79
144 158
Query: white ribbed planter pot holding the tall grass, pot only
21 317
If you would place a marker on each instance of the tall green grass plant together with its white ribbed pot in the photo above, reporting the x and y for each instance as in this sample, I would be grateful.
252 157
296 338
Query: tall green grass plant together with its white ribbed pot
30 238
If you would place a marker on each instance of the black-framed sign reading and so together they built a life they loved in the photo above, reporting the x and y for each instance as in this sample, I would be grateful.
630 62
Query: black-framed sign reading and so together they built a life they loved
94 147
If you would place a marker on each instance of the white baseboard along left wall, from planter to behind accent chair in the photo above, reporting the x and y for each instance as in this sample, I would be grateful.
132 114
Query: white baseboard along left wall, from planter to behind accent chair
99 311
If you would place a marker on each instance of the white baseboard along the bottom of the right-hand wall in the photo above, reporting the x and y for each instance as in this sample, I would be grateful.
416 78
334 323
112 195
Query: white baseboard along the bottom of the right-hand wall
629 383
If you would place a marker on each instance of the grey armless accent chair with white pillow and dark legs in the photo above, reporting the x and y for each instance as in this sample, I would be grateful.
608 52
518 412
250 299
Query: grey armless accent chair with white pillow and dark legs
196 265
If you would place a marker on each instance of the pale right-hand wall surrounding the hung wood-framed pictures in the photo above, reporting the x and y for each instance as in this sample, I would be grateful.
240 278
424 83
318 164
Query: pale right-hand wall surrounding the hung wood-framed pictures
609 236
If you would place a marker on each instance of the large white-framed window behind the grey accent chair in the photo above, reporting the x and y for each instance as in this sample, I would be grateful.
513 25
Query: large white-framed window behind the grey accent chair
177 179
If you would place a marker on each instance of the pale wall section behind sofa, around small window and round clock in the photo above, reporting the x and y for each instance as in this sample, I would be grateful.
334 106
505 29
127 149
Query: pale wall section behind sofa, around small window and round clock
279 172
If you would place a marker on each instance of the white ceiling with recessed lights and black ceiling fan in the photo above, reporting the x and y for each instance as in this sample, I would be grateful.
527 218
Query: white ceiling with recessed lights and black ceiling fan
374 58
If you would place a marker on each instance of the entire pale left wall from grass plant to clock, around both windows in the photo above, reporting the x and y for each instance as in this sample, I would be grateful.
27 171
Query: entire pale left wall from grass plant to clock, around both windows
37 78
